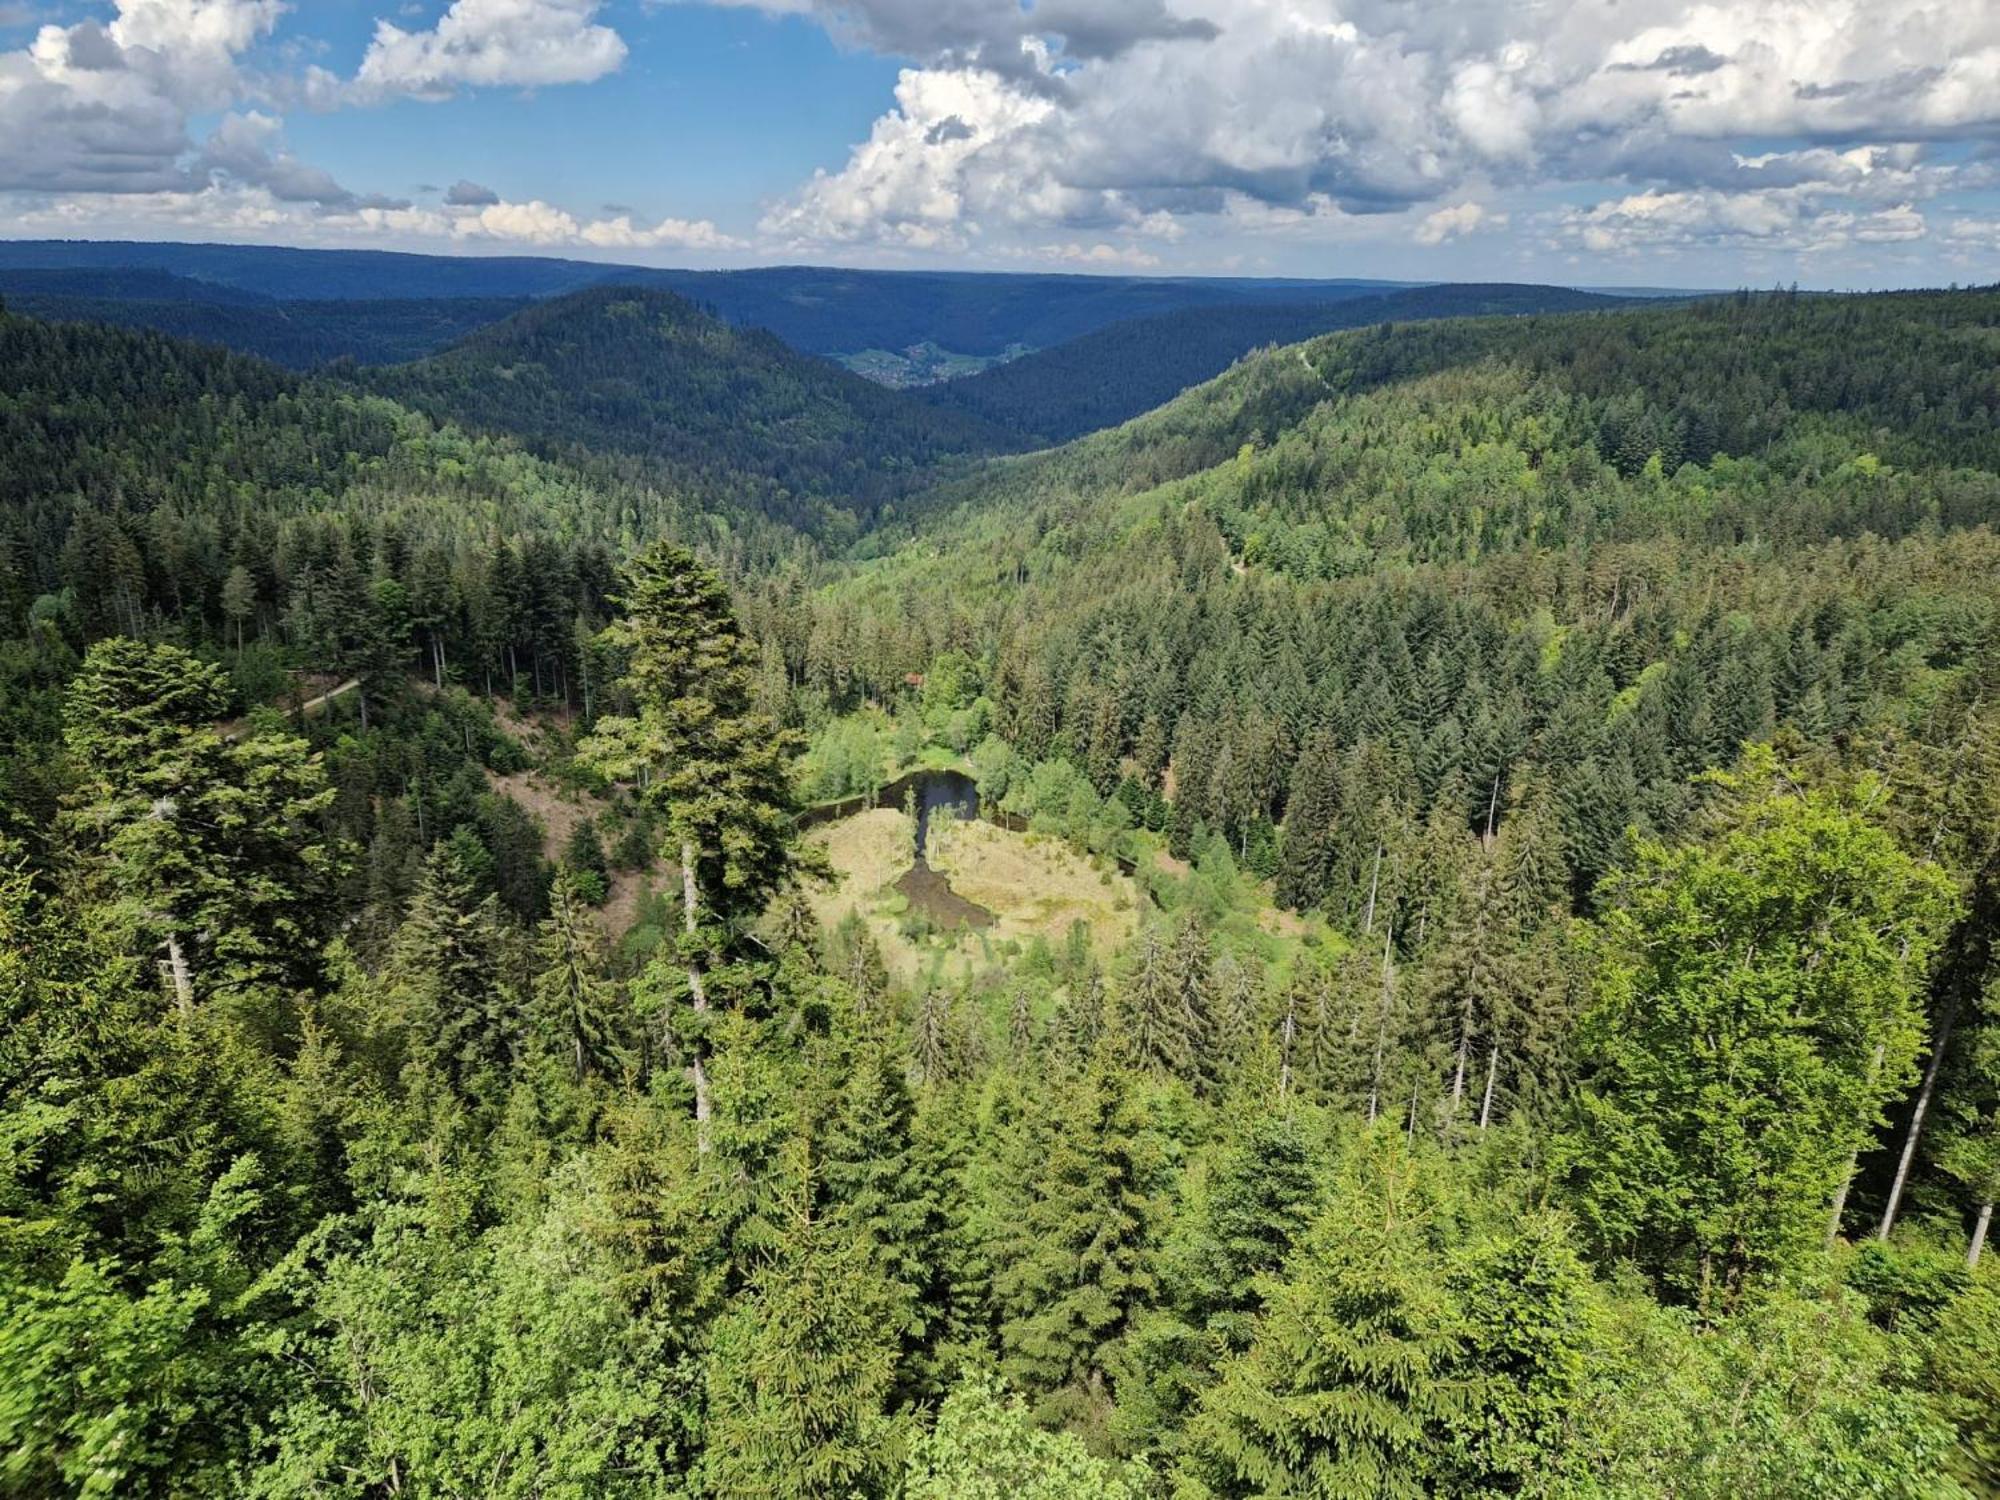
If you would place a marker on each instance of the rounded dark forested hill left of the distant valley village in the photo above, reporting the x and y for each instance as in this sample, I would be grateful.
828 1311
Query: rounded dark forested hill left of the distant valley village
647 377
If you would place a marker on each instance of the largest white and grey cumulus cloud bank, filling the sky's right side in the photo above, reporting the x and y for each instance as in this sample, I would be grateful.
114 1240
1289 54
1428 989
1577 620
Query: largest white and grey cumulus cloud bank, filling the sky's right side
1341 109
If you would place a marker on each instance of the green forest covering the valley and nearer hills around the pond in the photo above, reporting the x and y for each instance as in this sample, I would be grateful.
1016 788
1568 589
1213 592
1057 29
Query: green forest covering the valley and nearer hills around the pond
1473 969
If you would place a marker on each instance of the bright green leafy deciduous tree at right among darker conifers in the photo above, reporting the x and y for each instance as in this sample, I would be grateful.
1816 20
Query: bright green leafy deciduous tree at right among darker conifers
1757 1011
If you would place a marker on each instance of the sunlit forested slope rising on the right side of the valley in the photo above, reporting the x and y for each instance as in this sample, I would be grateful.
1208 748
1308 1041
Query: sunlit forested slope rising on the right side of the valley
1561 563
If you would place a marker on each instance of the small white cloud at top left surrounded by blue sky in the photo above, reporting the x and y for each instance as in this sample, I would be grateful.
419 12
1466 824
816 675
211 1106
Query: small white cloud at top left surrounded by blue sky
487 45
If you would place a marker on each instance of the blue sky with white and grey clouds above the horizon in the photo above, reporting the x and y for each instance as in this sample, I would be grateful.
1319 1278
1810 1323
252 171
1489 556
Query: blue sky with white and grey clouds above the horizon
1597 143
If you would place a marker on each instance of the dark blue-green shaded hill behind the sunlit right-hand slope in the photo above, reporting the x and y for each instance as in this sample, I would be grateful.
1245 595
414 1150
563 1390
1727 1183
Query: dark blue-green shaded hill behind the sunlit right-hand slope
1131 367
